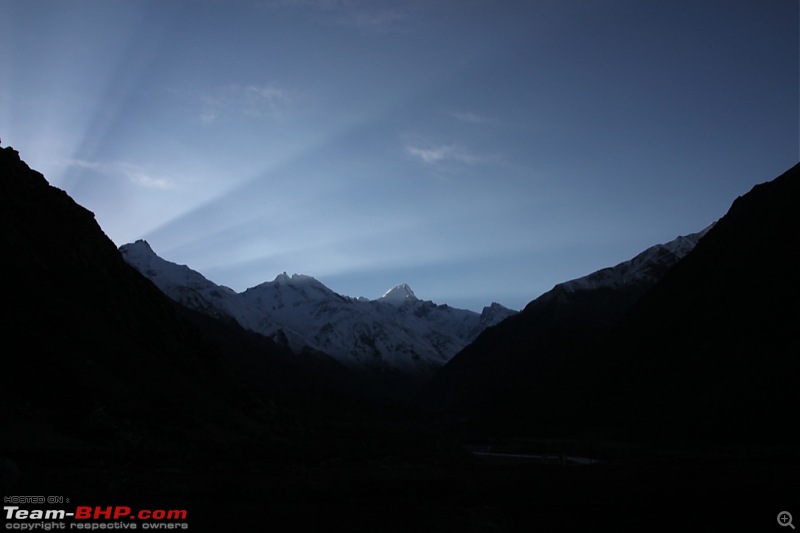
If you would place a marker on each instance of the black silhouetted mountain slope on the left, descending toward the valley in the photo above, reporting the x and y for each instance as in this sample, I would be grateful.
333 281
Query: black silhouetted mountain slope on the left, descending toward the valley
98 357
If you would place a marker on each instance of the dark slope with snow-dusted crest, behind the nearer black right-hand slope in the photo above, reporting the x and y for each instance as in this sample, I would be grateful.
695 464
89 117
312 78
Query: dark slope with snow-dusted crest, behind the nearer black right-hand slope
565 319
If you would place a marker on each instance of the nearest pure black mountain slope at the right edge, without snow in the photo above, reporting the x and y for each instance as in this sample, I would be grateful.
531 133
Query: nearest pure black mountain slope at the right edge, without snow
714 349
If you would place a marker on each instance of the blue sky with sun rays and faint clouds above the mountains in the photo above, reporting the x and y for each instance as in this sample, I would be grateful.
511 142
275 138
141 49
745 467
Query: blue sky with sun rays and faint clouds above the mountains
477 150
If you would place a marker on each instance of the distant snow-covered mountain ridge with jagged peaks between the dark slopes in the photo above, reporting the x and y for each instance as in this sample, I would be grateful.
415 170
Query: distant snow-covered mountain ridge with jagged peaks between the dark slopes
396 332
